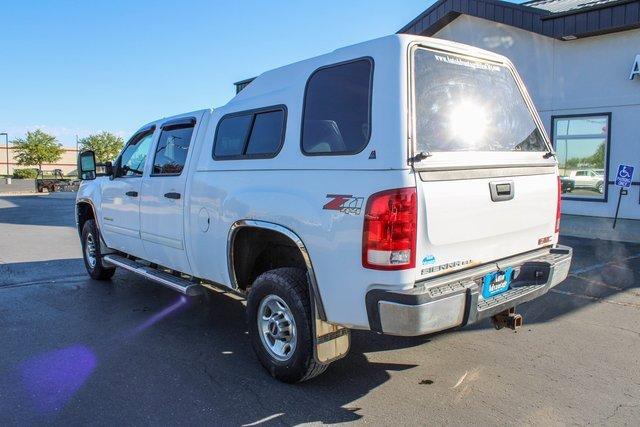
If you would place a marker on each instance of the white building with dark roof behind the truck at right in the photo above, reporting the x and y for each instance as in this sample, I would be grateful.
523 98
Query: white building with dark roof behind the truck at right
577 58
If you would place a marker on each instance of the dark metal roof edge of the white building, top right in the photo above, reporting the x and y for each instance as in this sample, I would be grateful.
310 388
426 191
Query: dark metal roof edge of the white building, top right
561 19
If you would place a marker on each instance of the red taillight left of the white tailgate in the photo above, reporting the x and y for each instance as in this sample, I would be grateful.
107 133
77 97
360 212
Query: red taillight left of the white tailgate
389 236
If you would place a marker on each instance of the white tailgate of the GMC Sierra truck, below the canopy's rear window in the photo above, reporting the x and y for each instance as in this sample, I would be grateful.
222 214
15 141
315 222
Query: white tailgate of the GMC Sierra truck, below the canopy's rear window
468 222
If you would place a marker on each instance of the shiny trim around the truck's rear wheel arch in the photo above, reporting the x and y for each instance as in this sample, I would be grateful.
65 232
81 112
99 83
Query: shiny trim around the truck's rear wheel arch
314 292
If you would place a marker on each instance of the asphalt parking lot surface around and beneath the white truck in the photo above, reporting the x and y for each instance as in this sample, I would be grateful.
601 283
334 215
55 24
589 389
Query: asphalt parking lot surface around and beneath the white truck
77 351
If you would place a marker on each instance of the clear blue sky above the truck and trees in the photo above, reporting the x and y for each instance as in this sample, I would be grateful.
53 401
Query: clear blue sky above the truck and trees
83 67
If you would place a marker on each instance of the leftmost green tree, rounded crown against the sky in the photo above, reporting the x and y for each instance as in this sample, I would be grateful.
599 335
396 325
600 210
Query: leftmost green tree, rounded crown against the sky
37 148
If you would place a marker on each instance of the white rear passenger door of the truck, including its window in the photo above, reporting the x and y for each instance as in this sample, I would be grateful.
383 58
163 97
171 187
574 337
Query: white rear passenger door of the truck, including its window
162 200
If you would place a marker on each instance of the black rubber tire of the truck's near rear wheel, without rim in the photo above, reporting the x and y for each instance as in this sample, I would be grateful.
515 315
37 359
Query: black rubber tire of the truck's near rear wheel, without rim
290 285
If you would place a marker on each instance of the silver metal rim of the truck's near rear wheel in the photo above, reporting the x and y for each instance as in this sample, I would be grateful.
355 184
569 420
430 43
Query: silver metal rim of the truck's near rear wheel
277 328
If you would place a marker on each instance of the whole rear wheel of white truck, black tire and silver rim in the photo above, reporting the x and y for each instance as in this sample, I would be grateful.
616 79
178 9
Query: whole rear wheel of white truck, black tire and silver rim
279 317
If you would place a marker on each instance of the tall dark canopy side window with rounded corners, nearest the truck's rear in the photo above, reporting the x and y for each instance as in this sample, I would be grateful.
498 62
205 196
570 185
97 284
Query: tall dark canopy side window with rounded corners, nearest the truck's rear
337 109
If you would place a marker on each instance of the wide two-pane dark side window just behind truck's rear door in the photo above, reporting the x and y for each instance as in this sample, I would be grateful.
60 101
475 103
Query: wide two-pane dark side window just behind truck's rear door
250 134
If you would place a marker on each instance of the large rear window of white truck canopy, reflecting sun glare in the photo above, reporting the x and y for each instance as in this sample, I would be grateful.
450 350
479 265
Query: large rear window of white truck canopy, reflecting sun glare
465 104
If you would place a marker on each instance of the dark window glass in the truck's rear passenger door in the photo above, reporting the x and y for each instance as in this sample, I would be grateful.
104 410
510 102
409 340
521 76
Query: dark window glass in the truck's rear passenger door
173 146
